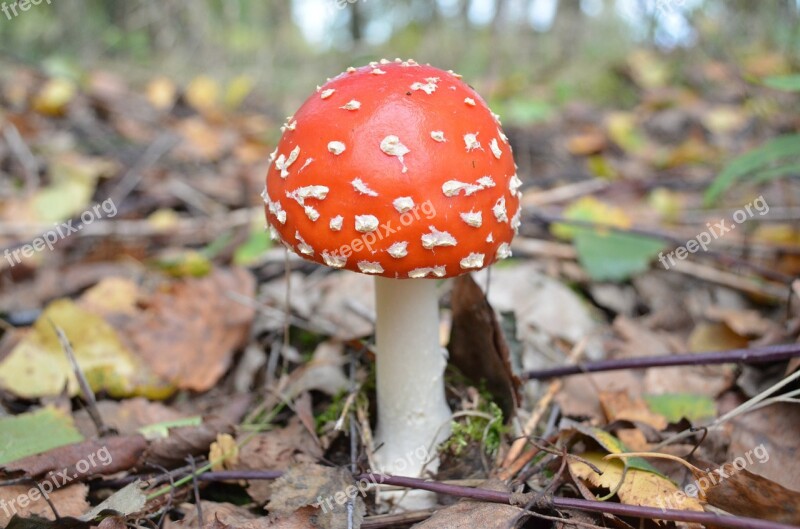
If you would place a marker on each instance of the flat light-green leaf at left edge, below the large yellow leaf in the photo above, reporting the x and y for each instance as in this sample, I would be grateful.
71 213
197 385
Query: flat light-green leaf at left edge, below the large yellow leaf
36 432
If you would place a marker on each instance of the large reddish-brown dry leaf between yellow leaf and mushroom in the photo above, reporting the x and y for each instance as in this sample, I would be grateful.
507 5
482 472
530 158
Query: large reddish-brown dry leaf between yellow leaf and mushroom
188 332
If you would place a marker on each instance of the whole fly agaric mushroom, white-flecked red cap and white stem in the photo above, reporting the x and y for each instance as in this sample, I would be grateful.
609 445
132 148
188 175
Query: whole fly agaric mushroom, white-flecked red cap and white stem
401 171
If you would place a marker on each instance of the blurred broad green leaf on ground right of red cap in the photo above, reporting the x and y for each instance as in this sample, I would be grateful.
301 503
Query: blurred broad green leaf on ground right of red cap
614 256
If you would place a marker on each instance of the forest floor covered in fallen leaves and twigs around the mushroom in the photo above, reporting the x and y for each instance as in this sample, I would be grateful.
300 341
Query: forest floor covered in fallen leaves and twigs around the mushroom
146 367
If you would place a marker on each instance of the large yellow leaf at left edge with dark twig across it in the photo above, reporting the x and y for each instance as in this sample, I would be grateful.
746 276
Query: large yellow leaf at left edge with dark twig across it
38 367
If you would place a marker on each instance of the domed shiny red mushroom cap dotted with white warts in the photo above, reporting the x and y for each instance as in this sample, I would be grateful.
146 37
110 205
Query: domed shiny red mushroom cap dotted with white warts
395 169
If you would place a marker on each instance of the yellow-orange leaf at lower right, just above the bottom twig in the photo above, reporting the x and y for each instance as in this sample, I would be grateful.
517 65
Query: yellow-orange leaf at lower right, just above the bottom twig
638 488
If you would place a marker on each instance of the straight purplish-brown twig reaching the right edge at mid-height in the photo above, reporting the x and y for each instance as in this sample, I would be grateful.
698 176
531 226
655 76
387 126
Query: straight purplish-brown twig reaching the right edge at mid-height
755 355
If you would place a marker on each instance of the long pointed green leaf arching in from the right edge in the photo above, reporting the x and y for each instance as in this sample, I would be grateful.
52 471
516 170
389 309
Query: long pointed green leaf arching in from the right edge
782 150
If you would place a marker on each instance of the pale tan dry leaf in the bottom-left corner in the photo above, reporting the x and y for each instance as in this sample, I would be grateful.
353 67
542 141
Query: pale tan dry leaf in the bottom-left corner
26 500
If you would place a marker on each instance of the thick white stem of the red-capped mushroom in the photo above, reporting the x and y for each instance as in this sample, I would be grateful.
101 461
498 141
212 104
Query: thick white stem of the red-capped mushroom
413 416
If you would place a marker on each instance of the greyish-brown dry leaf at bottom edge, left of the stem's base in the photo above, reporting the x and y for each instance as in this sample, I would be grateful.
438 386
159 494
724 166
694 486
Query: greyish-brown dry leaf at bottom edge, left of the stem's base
325 488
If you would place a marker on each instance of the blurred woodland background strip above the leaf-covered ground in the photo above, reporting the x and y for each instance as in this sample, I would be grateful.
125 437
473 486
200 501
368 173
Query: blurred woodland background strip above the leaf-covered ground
525 55
